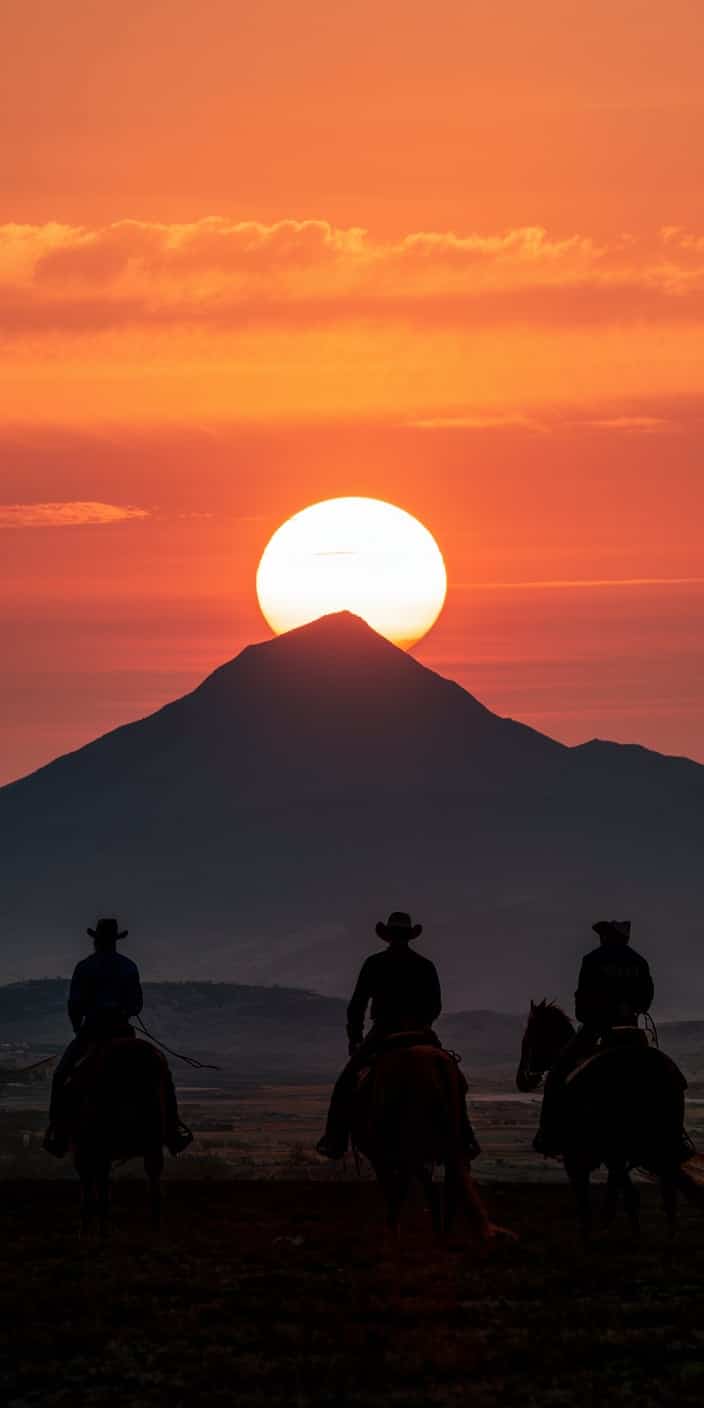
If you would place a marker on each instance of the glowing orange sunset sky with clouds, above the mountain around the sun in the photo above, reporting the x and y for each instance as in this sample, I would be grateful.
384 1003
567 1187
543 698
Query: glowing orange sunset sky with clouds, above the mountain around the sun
447 256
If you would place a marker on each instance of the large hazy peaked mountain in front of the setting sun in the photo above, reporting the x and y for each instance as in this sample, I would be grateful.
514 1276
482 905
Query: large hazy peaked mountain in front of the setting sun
257 829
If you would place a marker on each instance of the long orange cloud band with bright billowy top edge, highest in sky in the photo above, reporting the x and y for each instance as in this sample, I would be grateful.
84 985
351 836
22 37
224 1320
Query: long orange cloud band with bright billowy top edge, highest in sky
241 275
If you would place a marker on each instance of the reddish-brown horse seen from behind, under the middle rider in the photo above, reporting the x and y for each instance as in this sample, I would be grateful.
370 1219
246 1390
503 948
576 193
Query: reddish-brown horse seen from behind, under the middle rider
408 1119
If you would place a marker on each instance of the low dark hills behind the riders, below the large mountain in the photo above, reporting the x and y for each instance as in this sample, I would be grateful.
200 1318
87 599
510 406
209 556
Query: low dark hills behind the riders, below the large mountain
284 1034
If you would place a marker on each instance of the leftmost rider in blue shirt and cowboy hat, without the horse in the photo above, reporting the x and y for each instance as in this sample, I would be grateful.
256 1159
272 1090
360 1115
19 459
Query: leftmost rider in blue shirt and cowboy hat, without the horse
105 993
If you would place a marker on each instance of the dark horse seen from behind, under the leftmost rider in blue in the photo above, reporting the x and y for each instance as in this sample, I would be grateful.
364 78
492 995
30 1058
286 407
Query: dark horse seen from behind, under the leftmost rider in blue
116 1112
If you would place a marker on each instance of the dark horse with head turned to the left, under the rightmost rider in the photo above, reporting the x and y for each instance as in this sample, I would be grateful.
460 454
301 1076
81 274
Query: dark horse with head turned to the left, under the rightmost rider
622 1109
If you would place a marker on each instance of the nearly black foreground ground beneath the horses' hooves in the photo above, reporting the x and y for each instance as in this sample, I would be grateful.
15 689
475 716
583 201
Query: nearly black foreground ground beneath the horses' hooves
277 1293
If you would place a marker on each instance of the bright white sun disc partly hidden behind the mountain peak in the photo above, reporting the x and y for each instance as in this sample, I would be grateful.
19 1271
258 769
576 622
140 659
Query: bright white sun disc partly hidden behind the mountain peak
360 555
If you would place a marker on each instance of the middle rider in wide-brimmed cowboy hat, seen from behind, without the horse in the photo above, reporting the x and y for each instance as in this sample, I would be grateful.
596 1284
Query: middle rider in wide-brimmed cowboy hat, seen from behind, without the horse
405 996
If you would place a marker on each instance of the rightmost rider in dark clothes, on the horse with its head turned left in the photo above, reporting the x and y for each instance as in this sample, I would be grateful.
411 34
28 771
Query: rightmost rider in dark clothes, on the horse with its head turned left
615 988
